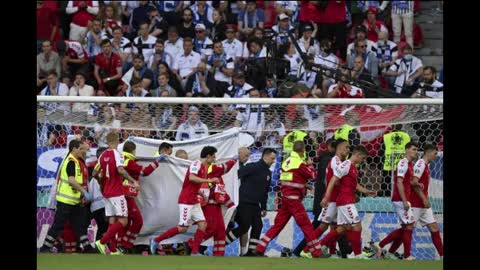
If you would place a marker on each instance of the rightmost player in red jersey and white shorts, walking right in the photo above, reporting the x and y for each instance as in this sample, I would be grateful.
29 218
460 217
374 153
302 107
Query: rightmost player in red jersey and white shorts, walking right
422 212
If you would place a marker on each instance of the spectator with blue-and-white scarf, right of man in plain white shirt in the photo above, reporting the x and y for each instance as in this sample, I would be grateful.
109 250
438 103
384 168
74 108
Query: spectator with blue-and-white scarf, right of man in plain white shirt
220 65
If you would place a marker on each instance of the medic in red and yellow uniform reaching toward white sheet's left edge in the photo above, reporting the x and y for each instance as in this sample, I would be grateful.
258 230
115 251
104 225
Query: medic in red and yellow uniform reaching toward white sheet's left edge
128 234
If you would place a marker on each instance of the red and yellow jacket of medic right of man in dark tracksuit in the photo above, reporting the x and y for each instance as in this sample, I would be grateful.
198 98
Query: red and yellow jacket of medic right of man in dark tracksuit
293 186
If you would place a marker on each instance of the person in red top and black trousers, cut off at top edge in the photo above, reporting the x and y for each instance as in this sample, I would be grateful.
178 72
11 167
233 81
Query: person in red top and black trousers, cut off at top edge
333 21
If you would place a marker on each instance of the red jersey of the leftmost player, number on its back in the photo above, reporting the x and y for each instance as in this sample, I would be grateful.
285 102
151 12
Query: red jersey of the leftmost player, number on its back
110 160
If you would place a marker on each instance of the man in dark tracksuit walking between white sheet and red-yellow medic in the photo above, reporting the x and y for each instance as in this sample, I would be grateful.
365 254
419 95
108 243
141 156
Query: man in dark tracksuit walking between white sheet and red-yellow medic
255 183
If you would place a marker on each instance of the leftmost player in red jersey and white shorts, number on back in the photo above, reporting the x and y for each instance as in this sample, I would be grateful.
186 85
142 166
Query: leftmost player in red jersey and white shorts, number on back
111 178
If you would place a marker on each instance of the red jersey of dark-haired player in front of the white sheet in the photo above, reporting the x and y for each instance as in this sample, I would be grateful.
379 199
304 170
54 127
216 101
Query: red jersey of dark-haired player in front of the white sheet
189 193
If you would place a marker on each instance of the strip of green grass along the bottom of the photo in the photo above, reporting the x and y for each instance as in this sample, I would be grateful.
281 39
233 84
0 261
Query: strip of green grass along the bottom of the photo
138 262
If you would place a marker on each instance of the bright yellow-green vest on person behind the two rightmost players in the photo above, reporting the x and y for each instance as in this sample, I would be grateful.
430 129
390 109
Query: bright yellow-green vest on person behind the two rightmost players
395 142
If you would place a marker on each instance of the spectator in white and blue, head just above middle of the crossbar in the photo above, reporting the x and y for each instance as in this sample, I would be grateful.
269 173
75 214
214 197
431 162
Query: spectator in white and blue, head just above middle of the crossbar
251 116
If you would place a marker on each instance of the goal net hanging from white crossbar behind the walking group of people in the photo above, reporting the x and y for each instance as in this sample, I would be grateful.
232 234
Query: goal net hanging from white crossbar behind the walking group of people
264 123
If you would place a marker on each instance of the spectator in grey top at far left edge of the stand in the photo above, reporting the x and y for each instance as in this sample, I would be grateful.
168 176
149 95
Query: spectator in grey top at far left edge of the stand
46 61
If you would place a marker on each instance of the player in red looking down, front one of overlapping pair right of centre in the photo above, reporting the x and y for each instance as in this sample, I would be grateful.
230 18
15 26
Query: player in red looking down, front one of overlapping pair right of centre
347 218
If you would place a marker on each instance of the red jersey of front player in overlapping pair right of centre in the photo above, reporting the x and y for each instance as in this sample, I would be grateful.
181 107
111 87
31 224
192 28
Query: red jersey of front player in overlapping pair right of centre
347 173
